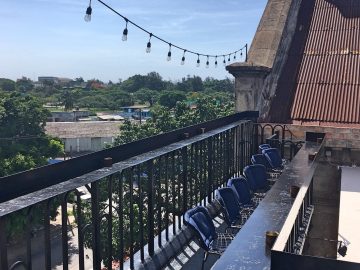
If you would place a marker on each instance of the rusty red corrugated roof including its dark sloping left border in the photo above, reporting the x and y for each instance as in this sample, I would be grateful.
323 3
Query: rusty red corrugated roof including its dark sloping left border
321 79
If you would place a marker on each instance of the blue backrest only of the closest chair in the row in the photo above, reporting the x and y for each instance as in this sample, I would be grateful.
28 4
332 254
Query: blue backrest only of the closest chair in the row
199 220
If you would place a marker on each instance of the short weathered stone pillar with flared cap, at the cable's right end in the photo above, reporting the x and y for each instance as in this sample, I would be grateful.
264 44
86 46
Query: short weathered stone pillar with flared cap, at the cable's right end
249 81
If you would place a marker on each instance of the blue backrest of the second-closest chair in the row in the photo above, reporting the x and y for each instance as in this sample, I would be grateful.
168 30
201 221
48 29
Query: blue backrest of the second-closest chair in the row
230 203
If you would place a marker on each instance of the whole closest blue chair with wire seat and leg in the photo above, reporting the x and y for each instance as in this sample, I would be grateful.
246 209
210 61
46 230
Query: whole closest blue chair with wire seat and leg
199 220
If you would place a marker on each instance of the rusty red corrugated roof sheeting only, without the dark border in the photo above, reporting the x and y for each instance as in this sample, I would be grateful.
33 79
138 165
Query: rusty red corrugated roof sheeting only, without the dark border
328 83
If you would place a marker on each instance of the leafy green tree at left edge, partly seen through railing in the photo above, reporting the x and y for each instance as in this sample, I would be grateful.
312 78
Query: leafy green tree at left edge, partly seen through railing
23 146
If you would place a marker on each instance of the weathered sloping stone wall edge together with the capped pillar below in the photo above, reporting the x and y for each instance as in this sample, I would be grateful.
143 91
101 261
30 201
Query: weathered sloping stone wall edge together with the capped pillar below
250 76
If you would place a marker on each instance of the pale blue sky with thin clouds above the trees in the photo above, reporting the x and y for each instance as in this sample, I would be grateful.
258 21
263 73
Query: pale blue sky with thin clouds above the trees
51 38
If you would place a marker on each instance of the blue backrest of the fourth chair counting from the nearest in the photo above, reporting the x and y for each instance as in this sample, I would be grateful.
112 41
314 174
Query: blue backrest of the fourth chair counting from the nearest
256 176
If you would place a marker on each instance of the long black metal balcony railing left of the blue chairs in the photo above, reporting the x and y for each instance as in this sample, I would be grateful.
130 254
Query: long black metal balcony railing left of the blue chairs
129 207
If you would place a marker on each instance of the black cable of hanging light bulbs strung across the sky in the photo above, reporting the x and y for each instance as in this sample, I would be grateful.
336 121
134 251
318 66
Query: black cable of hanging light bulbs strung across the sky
87 18
